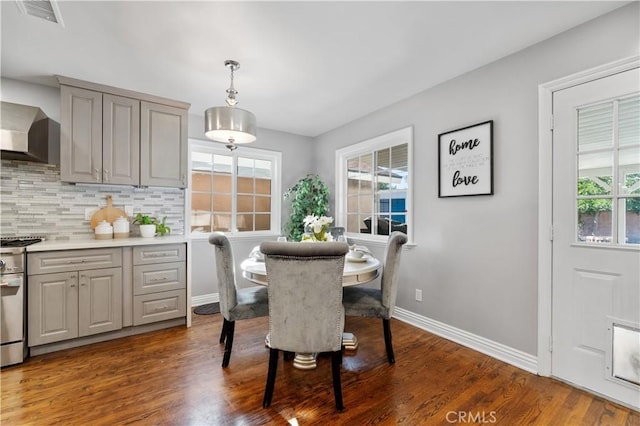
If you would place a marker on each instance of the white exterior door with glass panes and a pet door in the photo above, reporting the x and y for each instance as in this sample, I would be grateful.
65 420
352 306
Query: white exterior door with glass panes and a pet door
596 236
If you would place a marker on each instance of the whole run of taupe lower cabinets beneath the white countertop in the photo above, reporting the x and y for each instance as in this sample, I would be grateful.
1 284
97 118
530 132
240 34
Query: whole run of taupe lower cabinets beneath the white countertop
78 293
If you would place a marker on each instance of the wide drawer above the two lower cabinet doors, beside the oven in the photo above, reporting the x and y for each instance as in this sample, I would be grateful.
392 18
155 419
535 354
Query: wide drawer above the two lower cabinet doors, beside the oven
73 260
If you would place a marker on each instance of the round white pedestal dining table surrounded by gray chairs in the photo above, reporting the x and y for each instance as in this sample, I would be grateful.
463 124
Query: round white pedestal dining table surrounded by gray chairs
356 271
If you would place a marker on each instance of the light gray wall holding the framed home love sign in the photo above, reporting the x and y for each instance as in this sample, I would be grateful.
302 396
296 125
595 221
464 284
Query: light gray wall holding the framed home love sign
476 257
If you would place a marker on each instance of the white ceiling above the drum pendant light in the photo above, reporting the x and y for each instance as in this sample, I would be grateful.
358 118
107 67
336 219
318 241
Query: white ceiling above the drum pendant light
306 67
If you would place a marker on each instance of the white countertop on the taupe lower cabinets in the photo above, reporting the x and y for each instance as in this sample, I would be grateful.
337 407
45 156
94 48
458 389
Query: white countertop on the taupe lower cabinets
50 245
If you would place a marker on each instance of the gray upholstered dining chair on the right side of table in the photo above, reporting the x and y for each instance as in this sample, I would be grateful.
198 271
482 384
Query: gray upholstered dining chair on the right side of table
379 302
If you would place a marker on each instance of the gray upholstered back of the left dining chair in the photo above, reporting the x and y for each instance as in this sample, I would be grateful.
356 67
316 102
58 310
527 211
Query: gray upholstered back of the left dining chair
225 268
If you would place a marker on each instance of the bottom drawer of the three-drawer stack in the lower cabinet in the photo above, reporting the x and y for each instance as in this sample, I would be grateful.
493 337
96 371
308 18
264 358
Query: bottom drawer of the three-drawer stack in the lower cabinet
162 306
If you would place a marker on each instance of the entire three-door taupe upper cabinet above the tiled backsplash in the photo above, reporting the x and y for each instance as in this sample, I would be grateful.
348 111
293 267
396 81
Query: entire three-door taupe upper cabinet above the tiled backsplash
115 136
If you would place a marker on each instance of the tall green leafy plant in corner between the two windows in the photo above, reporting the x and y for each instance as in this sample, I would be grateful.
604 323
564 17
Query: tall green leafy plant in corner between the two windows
309 196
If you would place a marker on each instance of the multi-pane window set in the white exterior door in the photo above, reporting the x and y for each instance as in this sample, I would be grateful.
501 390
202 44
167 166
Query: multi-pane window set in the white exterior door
608 181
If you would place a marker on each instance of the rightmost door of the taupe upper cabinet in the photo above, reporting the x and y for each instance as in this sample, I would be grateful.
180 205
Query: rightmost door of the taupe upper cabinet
163 145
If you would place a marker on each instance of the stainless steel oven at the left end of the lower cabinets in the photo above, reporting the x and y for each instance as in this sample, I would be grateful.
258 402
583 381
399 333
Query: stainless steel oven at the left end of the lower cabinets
13 260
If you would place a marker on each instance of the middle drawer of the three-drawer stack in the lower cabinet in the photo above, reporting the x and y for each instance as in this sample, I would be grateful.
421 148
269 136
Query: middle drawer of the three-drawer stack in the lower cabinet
159 277
